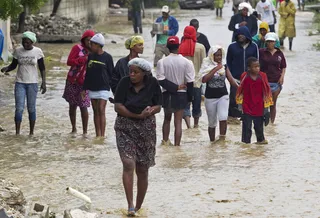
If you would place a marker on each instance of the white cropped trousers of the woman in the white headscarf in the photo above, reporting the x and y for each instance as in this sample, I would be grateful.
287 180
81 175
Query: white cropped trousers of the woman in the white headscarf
217 109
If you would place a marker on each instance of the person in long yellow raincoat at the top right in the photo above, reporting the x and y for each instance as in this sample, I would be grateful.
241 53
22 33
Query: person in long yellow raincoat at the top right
287 26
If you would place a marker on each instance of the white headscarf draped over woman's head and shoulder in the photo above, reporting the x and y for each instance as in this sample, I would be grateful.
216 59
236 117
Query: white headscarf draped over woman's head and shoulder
208 63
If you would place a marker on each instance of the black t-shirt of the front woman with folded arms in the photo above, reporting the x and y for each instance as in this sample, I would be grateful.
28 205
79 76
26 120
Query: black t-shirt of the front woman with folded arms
149 95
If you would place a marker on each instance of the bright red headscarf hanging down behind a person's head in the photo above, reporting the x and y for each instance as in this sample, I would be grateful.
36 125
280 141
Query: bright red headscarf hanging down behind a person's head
188 43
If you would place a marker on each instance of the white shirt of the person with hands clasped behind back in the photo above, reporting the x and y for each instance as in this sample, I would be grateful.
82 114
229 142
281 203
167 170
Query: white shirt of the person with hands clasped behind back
177 69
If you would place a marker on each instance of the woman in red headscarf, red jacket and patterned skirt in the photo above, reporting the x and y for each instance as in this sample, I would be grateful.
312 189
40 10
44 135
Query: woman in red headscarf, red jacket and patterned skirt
73 92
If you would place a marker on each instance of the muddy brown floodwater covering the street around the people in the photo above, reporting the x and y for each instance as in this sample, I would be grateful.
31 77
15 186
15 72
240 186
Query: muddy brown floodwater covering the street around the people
281 179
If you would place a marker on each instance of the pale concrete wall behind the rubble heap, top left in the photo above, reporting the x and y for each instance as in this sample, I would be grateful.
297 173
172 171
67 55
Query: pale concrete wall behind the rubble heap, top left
92 10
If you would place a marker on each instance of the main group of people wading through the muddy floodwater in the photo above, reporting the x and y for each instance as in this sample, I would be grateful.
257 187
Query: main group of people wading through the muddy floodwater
253 64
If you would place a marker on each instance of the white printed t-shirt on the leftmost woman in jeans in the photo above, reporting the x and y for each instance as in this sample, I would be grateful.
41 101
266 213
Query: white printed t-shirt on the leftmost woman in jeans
27 64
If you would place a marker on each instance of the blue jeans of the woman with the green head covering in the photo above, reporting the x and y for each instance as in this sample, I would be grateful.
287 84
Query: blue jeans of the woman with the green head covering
21 91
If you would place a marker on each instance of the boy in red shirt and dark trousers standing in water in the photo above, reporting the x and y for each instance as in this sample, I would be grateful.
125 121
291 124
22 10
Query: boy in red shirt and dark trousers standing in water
255 98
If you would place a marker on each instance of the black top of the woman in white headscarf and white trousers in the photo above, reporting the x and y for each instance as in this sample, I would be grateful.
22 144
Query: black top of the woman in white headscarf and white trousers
216 87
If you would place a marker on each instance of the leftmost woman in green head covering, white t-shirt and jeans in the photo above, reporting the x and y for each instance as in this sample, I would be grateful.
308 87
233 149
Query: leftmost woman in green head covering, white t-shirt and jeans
27 58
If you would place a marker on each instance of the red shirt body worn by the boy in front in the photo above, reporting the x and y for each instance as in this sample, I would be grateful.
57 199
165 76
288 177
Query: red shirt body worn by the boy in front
253 96
